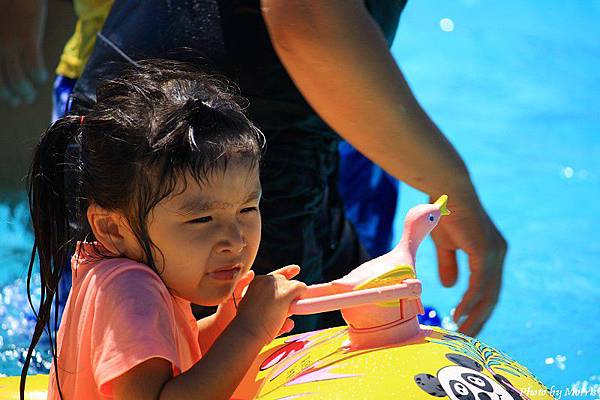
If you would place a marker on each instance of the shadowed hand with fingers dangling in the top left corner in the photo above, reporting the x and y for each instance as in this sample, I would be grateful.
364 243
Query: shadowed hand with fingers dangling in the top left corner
21 57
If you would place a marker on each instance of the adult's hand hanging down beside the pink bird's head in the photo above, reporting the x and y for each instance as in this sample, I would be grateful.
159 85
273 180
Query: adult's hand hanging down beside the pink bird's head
470 229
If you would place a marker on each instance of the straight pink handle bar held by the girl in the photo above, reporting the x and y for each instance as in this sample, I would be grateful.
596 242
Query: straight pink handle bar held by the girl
409 289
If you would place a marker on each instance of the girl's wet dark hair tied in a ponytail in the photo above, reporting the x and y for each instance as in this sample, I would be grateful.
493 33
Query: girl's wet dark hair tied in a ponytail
153 125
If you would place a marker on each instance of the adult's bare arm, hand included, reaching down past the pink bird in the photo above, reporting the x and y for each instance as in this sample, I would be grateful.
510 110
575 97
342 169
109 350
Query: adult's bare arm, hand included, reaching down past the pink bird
340 61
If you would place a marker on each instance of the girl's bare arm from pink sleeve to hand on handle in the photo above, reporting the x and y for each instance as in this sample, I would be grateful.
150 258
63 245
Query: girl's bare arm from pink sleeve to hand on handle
261 314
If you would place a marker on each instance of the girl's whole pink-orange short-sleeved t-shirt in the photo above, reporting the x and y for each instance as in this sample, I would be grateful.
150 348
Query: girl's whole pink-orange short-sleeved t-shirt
118 315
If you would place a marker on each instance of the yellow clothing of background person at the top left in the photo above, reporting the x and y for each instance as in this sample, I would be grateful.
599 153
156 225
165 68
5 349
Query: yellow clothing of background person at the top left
91 16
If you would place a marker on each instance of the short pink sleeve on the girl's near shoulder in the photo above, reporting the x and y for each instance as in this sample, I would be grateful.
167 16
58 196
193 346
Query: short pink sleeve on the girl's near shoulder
133 322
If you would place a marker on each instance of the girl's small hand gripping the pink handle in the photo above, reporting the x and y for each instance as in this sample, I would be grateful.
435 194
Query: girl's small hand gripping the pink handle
264 310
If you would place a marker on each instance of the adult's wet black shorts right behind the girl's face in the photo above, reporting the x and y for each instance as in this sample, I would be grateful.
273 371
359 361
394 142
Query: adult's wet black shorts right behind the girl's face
303 216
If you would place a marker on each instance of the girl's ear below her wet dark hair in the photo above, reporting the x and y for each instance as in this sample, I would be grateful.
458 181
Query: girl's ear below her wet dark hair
110 228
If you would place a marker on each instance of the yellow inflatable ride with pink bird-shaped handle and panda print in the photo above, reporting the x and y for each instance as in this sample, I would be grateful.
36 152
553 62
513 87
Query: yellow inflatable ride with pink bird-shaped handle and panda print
383 352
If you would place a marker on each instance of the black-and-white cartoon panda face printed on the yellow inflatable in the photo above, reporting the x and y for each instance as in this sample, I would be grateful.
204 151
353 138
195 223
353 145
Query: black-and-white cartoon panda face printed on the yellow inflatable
464 381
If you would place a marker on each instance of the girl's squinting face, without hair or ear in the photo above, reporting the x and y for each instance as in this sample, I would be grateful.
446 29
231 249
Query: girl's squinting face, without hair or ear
208 234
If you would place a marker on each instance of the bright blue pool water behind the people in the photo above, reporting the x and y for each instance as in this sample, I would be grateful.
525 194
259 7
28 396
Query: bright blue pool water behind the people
516 88
